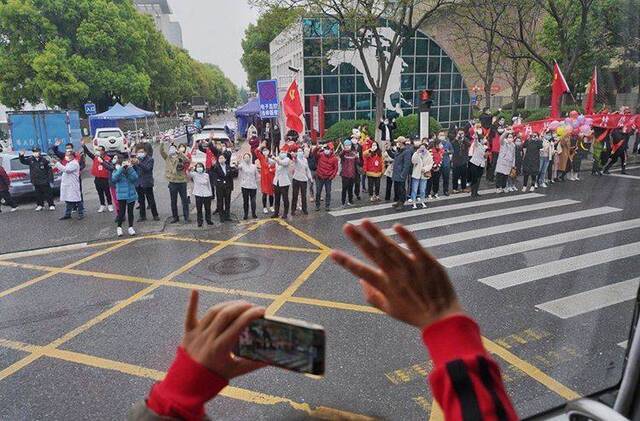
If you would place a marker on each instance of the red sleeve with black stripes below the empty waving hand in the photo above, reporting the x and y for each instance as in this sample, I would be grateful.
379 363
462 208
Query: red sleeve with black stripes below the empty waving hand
465 381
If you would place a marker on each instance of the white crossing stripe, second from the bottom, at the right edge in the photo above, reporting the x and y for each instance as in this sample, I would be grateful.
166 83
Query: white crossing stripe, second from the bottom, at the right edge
558 267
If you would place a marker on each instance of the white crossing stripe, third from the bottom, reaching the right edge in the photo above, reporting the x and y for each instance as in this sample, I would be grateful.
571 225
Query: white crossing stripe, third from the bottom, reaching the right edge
538 243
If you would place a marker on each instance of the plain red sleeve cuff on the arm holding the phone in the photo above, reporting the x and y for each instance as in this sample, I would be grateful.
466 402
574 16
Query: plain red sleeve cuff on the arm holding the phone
186 388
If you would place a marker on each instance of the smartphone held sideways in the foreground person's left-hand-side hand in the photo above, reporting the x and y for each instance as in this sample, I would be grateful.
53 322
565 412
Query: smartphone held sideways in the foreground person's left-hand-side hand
286 343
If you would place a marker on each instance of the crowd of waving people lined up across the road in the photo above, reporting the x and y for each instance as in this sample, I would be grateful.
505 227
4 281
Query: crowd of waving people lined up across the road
296 172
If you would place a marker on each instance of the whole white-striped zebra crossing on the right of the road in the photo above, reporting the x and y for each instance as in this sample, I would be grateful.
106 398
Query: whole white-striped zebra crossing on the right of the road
527 212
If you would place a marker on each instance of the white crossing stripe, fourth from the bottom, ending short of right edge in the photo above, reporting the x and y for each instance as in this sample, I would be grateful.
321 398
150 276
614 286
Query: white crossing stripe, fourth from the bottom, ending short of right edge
516 226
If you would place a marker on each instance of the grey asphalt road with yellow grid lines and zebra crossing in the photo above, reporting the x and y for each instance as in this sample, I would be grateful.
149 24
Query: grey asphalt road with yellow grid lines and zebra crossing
111 329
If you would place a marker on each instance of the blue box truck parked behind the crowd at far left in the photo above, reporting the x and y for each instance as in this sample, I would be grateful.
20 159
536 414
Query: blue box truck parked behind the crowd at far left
28 129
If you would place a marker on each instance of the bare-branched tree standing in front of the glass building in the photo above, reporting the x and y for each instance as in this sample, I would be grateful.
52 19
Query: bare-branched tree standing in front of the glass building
362 23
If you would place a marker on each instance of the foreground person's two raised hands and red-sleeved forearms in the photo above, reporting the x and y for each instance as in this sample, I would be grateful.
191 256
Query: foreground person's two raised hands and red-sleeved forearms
407 284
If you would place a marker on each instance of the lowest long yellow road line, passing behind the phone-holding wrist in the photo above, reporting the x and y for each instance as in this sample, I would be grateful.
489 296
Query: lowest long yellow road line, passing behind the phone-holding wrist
144 372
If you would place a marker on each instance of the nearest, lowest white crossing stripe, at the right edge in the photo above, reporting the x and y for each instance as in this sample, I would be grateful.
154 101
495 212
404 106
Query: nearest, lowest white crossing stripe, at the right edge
595 299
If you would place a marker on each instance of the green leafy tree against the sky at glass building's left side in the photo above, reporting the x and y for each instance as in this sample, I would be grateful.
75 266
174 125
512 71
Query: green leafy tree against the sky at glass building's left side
257 37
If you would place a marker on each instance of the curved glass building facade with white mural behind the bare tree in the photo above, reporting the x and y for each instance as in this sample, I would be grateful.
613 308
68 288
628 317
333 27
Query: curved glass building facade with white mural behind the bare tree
329 66
